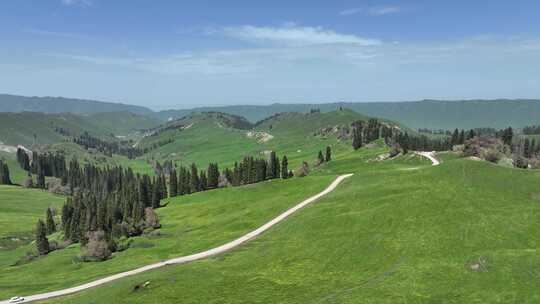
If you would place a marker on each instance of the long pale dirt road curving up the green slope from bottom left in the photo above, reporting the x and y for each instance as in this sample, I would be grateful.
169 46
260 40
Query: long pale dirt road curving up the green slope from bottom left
186 259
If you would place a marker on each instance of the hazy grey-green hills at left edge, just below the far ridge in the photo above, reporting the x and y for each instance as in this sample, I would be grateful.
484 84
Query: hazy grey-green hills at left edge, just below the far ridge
19 128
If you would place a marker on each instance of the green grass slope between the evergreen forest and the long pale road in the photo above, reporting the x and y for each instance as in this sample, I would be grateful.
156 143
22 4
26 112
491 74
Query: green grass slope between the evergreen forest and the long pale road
190 224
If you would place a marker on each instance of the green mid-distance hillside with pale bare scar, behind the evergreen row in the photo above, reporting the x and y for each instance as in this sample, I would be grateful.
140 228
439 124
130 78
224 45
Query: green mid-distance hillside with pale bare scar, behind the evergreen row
204 138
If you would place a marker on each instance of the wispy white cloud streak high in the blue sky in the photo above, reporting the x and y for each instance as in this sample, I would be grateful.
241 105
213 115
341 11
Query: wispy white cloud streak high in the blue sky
293 35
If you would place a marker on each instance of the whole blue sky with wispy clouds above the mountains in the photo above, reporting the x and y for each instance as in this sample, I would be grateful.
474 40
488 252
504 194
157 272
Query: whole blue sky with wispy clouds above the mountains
176 54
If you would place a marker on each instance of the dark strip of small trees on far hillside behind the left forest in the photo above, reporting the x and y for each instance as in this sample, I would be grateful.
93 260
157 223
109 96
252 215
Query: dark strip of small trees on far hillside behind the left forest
108 148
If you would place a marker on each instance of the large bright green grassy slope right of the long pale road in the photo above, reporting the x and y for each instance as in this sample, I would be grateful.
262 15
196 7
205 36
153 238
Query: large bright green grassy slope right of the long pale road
386 236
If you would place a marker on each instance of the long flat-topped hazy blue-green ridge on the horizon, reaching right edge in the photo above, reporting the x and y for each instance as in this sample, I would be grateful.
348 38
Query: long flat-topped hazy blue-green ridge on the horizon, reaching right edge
416 114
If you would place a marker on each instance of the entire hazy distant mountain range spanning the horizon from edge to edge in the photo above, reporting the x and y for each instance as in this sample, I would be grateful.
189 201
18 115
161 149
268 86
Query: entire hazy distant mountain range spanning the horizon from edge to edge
433 114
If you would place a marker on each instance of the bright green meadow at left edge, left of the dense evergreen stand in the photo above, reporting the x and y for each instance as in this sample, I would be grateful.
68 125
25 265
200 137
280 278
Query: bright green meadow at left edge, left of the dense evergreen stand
21 208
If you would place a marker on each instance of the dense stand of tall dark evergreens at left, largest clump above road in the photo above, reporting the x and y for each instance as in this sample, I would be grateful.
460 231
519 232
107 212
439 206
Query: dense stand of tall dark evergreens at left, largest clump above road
112 200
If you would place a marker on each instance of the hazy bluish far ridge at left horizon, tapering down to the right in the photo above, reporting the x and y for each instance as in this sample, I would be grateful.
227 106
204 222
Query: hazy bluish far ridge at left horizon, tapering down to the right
14 103
